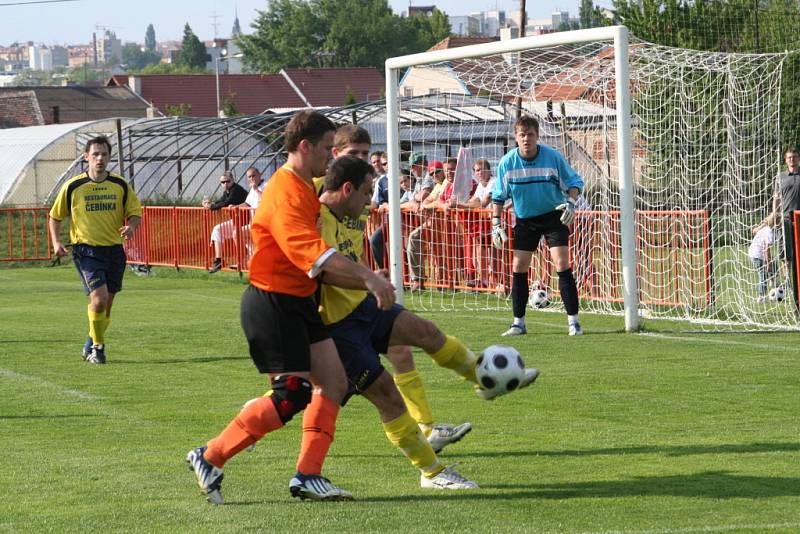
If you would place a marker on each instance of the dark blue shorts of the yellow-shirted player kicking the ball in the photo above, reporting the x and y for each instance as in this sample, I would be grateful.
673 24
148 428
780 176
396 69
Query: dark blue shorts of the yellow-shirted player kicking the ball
359 338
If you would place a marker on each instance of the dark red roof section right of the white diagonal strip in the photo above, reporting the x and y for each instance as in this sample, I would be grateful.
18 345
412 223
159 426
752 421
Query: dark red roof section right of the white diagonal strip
328 87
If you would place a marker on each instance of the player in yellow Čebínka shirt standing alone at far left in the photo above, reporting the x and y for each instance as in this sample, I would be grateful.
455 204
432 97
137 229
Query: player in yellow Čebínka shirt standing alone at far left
104 212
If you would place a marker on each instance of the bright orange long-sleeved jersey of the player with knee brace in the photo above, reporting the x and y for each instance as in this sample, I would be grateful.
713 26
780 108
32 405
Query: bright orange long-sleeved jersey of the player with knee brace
288 246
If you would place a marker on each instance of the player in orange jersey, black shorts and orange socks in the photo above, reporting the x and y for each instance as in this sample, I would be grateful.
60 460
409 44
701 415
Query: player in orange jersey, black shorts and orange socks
282 324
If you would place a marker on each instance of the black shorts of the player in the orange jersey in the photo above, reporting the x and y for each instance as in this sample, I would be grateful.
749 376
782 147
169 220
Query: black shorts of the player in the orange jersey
280 330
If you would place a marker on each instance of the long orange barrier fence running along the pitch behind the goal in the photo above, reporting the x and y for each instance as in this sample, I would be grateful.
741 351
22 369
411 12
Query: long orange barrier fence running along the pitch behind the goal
453 246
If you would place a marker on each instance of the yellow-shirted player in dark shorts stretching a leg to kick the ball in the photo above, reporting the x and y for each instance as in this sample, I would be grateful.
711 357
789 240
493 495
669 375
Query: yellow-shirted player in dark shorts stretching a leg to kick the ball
360 330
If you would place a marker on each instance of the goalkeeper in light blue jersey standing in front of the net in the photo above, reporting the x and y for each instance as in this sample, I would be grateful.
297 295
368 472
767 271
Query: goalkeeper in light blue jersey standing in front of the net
543 189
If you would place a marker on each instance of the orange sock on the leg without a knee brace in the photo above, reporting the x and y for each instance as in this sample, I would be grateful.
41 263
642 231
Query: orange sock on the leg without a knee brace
319 425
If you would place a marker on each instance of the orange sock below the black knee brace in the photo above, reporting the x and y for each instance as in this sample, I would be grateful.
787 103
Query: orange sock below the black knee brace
257 418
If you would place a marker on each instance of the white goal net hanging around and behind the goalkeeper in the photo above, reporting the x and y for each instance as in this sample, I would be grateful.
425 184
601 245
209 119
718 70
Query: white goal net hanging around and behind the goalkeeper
704 149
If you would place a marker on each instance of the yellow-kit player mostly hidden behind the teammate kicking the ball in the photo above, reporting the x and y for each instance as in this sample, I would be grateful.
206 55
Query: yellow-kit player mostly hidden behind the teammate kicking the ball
352 140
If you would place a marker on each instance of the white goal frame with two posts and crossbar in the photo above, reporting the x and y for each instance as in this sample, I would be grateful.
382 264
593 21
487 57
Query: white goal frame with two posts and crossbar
618 35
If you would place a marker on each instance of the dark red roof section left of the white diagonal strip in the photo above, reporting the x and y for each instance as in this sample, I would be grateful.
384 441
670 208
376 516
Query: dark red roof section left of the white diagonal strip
250 93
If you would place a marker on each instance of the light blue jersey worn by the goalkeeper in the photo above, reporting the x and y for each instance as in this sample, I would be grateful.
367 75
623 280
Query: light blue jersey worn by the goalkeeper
534 186
